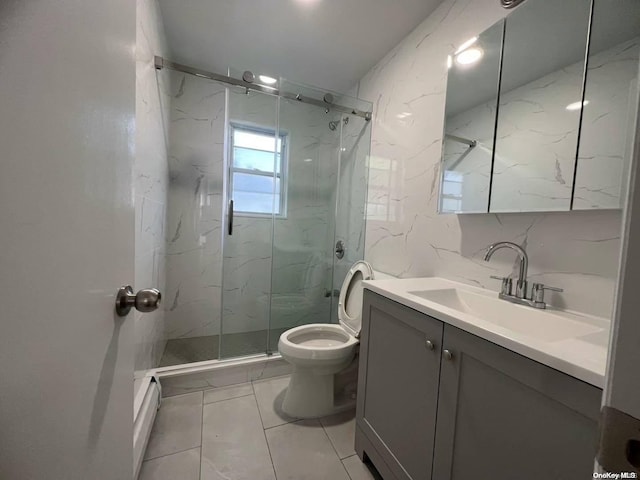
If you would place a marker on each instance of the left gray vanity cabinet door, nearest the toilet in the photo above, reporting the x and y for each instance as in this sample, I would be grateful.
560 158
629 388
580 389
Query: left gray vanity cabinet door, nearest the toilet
398 388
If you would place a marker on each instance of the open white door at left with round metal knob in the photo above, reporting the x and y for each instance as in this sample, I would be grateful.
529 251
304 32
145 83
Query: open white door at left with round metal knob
67 79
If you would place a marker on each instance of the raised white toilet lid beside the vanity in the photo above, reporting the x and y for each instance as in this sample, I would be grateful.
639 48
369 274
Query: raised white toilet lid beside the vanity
350 302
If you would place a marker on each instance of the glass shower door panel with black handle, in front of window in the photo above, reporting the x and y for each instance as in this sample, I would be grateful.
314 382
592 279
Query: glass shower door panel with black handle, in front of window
252 198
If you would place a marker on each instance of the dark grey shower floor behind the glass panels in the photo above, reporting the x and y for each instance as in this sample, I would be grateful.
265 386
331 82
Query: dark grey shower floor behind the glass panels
199 349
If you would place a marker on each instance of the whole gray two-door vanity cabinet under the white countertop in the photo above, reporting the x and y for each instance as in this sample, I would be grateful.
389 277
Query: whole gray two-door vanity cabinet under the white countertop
467 409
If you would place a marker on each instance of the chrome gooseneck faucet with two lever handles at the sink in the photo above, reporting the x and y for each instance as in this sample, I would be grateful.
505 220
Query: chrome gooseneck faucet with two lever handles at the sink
537 292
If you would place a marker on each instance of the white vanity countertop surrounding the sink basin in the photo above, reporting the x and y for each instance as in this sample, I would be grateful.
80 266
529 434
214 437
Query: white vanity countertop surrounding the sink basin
583 357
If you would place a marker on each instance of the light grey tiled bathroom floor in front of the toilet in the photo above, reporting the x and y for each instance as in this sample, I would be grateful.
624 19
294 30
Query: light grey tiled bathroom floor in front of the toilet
240 433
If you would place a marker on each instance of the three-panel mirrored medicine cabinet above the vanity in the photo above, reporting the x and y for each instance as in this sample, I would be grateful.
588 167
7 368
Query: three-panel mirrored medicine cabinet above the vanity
540 109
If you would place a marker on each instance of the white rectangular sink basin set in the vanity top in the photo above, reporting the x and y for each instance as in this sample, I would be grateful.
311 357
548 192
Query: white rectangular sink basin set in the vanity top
544 325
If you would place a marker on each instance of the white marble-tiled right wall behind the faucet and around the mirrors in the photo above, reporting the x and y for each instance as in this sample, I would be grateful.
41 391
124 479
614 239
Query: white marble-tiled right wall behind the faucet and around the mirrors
406 237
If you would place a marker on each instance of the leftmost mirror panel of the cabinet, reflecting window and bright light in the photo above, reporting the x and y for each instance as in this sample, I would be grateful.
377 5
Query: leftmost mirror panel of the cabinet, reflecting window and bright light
472 90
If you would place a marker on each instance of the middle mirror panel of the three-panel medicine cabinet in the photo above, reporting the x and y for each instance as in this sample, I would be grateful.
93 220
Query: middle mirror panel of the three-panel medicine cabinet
537 134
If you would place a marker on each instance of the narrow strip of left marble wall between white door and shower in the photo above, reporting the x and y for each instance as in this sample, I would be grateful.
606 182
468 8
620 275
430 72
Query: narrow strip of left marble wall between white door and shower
150 182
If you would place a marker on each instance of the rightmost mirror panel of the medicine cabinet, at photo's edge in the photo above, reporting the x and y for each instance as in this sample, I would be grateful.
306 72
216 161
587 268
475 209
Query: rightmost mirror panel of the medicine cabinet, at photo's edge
606 135
